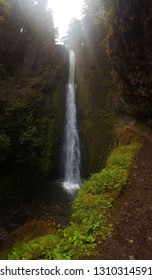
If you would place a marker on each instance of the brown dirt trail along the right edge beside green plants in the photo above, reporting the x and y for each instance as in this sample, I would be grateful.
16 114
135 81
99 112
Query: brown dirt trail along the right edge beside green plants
132 214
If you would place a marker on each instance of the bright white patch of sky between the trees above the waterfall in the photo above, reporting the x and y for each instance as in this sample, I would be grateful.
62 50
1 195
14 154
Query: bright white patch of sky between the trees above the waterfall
63 12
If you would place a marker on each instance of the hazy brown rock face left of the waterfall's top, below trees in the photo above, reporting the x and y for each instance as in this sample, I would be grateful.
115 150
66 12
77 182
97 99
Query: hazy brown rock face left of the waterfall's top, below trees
29 56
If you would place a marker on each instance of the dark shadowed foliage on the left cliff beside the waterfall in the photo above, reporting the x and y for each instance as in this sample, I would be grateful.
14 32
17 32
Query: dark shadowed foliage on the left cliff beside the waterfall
27 136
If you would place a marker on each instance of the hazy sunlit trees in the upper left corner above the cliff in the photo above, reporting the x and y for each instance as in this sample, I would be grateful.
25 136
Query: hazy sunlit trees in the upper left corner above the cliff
29 24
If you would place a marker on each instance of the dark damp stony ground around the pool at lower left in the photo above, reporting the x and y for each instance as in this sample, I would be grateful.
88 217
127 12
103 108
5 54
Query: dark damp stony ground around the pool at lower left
33 210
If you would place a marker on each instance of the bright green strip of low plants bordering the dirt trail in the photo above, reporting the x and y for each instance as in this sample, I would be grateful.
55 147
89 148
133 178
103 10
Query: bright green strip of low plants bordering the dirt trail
91 210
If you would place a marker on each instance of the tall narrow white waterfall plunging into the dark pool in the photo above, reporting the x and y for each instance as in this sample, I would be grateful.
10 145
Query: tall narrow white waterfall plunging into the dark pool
71 145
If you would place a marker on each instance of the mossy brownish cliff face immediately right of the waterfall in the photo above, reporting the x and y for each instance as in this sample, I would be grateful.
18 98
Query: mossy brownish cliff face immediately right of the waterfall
94 99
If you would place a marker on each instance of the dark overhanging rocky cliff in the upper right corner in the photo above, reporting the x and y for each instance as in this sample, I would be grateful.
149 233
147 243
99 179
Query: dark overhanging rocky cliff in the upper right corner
130 51
